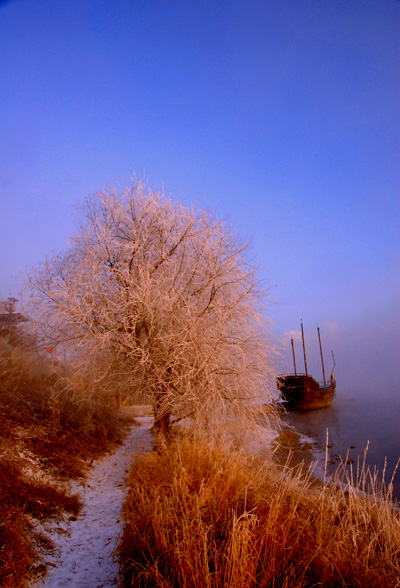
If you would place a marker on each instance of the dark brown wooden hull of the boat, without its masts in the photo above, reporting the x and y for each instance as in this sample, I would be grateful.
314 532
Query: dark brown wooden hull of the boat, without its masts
302 392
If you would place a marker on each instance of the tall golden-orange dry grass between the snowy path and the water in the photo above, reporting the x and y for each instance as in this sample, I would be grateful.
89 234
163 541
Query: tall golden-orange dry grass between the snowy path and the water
203 515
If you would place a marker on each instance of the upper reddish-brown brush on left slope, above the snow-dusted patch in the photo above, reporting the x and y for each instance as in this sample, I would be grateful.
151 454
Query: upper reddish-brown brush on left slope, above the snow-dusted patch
52 414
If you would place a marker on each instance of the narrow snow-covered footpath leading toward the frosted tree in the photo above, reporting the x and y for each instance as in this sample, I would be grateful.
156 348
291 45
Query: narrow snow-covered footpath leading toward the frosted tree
83 548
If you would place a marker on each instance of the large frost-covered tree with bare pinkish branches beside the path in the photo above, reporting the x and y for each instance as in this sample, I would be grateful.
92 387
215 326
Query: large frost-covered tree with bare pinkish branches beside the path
162 295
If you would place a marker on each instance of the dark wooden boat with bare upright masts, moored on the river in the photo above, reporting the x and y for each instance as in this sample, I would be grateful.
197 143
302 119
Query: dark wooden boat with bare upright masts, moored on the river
302 391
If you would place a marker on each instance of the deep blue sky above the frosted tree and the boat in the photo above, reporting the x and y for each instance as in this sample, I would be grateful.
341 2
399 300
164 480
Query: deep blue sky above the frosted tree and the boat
283 116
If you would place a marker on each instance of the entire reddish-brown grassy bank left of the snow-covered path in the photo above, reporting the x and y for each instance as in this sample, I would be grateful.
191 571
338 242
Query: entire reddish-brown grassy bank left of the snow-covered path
50 431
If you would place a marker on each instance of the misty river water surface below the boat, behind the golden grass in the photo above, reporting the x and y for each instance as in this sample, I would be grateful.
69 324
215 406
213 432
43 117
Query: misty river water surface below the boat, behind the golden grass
353 424
